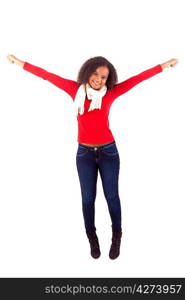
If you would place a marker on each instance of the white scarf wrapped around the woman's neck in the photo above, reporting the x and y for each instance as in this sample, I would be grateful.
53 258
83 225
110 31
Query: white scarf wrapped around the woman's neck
92 94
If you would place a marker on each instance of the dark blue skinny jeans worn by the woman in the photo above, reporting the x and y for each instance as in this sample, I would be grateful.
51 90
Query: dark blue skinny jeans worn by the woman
88 161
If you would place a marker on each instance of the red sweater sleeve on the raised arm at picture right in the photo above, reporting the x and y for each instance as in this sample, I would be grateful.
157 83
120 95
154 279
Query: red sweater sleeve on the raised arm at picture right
126 85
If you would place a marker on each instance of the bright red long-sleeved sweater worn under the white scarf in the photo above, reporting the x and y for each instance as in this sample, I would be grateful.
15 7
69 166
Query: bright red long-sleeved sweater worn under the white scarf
93 126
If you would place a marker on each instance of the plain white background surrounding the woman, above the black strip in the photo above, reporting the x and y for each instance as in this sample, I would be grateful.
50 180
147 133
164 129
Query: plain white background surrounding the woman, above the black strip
42 229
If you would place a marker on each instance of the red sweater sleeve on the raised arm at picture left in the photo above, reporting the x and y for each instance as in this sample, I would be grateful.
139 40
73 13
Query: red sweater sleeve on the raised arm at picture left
69 86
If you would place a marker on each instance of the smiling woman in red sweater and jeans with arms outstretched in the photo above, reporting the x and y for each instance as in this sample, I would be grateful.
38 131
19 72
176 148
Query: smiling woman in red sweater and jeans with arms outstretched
93 94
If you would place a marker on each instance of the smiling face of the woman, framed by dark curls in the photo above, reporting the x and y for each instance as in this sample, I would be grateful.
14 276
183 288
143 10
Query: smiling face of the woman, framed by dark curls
99 77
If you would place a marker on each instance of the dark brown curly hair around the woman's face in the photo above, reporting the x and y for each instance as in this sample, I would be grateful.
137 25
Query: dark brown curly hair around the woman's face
91 65
